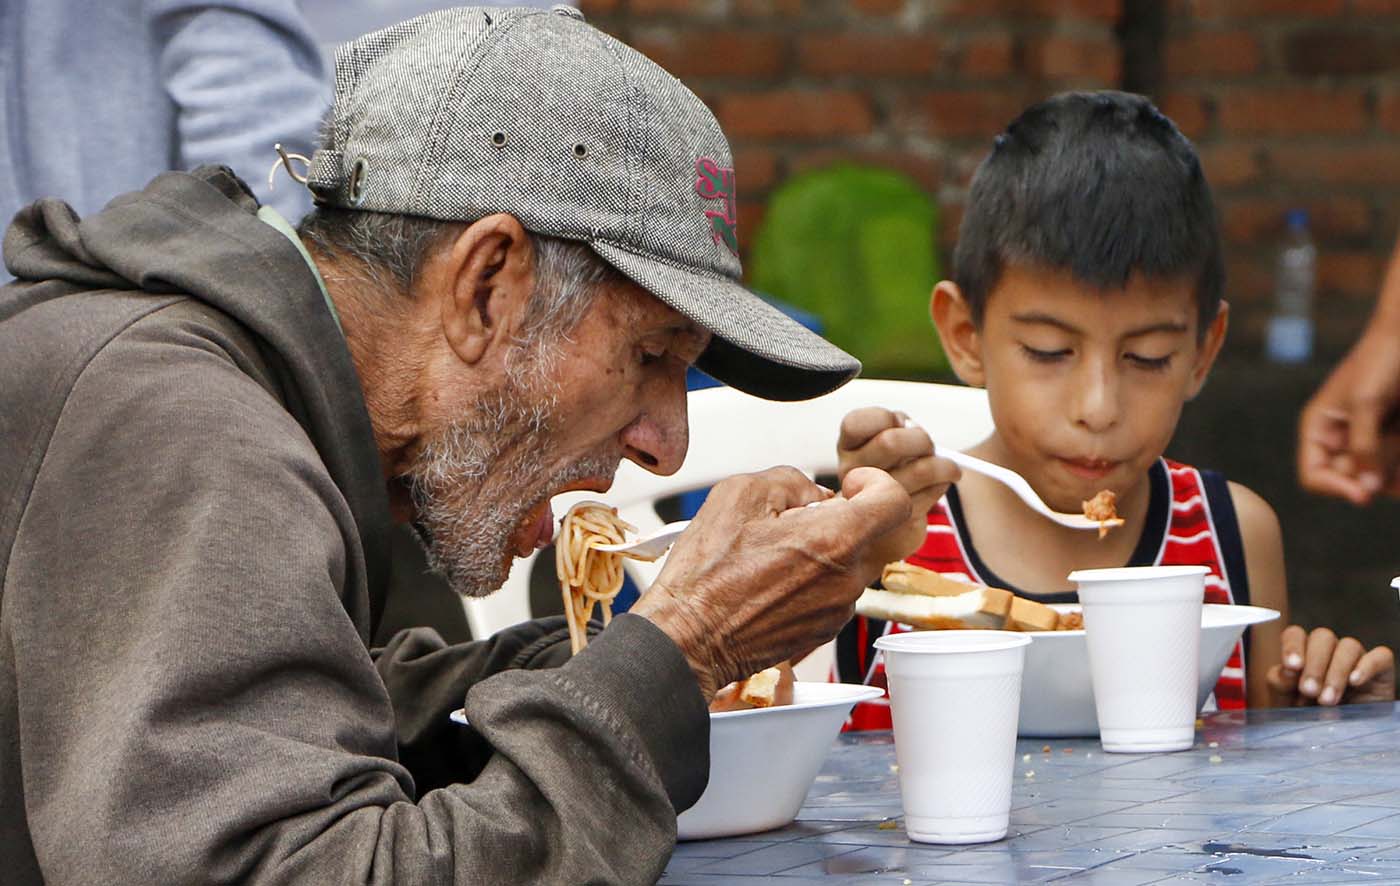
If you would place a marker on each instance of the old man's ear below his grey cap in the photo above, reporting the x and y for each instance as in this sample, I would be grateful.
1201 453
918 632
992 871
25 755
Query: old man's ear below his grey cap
482 282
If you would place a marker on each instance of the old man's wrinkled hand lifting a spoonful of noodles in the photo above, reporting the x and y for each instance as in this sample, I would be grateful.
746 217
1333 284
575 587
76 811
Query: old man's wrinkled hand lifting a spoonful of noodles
758 577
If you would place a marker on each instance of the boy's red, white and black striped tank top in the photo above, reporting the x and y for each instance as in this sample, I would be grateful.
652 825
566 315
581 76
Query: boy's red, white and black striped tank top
1191 521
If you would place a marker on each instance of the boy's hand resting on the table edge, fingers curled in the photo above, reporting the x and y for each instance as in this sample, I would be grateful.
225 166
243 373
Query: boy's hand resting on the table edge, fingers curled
1321 670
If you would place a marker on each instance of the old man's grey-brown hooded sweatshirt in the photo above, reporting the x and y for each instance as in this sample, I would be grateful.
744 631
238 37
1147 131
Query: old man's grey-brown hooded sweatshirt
192 561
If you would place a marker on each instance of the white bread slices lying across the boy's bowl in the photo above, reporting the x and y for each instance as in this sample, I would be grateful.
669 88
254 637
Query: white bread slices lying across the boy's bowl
925 600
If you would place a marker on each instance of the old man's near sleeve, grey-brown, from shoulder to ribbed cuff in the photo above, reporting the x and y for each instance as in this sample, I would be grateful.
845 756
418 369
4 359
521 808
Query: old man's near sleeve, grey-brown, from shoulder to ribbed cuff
197 706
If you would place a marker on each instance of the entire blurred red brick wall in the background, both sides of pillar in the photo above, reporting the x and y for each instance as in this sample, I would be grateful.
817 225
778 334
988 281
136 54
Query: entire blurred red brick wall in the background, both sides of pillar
1293 103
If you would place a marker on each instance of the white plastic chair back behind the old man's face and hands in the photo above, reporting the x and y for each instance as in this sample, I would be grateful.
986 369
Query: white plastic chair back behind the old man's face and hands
736 433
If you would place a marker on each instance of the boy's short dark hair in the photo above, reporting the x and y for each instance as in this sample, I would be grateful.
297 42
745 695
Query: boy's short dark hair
1101 185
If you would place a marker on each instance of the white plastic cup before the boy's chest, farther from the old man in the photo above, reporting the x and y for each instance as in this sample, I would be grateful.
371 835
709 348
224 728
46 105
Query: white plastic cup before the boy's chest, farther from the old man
1143 628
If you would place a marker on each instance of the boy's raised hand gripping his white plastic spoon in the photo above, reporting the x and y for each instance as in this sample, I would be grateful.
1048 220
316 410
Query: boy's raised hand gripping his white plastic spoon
887 440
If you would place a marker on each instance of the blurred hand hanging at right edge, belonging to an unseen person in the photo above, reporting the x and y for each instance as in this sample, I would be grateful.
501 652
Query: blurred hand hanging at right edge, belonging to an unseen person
1346 443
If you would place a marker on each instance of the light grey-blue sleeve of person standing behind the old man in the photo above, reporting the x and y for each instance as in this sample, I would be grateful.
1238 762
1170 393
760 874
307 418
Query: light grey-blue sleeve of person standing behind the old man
244 75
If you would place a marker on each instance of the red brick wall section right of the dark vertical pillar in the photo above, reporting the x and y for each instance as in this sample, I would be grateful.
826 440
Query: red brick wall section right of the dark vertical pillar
1294 103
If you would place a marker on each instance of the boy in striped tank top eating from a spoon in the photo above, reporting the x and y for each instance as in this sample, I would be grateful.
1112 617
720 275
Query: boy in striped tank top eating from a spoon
1087 302
